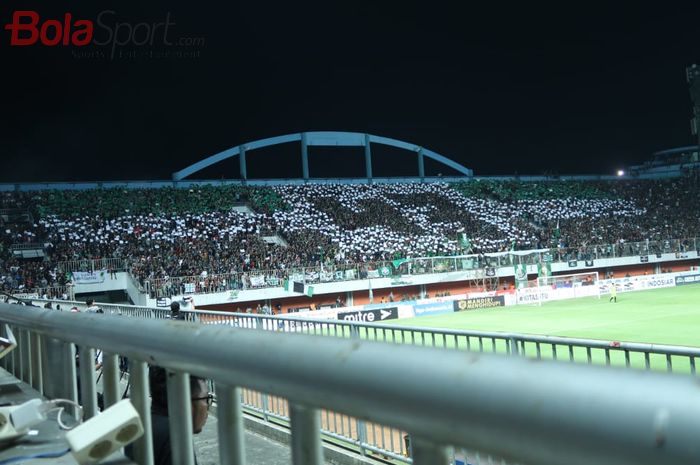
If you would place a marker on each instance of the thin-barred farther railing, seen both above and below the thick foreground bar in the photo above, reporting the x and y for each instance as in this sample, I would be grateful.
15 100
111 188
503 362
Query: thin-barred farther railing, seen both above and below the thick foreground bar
388 441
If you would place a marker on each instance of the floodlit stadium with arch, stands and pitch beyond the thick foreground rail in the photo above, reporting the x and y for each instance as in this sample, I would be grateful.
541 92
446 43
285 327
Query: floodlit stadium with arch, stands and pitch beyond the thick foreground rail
513 265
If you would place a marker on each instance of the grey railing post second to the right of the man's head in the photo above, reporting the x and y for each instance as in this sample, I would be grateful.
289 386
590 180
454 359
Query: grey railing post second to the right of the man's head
306 435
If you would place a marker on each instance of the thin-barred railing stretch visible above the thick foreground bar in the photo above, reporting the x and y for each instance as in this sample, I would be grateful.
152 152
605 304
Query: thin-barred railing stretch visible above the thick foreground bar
659 357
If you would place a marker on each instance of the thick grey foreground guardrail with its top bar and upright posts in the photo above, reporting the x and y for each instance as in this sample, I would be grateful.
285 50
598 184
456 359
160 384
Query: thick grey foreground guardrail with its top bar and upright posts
544 413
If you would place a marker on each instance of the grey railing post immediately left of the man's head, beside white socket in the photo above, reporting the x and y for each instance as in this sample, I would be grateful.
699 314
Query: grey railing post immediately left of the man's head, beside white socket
143 447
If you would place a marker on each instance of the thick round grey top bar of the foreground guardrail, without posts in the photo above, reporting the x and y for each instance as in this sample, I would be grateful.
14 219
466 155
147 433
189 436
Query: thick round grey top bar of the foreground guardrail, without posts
529 411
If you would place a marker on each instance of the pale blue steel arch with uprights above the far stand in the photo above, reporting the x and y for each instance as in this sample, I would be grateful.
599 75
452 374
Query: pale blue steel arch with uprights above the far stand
323 138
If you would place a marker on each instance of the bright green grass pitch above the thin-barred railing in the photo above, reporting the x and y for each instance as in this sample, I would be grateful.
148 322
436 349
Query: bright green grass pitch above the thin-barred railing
662 316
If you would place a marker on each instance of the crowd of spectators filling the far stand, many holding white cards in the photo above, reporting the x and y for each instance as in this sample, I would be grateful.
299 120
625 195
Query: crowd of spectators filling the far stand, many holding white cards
170 232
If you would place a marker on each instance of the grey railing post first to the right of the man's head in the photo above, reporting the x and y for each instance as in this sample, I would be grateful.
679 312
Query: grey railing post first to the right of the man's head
231 430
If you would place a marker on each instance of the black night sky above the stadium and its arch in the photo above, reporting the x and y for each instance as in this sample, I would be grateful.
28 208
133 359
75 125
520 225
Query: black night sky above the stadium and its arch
501 89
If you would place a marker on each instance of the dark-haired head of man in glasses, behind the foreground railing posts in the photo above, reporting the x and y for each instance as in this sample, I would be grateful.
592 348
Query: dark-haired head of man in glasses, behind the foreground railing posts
199 393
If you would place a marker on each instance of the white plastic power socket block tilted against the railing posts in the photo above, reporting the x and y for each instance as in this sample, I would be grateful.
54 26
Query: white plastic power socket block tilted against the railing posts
106 432
